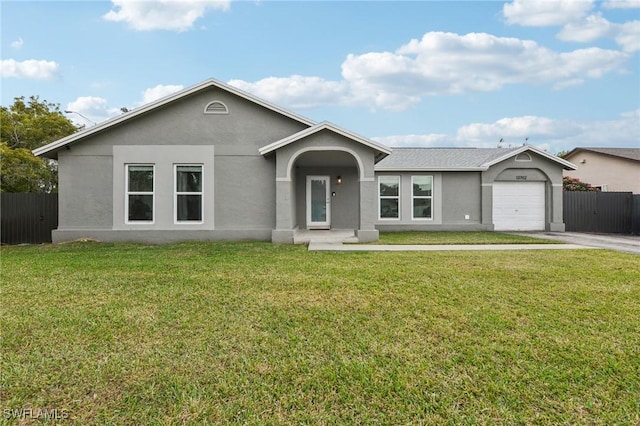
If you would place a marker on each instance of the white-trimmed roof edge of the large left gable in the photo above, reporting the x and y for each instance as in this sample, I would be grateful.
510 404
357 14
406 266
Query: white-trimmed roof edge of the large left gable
89 131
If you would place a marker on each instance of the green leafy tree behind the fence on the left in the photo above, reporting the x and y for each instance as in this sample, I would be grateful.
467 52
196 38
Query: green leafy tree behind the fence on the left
24 126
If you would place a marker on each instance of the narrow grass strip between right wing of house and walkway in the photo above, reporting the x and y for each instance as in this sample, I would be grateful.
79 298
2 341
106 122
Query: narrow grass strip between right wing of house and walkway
445 237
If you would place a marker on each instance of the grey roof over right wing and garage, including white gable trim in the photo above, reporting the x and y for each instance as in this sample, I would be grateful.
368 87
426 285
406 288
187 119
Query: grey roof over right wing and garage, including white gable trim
456 159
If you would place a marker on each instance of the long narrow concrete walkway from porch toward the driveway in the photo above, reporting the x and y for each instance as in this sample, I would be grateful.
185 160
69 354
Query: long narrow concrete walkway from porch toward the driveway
323 246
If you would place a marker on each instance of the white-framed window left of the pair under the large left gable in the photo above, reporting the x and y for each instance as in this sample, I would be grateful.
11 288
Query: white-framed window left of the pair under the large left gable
140 200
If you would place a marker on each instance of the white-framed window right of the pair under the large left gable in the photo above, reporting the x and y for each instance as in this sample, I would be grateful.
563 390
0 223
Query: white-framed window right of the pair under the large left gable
188 200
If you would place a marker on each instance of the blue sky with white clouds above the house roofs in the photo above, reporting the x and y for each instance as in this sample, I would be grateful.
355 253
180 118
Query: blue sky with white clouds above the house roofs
558 73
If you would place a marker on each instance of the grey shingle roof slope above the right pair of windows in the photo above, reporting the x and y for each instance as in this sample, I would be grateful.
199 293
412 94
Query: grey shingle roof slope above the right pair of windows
441 158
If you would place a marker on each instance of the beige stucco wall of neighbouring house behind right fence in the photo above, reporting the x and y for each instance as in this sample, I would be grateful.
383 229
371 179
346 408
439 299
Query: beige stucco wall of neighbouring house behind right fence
616 174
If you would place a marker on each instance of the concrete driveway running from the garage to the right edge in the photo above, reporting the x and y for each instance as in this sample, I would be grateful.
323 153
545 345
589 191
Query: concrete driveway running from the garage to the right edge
618 242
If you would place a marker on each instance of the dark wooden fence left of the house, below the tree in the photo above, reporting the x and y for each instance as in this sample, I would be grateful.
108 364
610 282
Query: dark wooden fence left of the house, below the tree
28 218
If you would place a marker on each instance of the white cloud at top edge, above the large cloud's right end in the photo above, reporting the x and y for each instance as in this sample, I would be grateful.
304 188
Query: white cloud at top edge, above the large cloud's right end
542 13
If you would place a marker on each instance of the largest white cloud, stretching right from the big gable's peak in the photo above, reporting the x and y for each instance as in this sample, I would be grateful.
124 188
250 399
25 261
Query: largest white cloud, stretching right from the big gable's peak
438 64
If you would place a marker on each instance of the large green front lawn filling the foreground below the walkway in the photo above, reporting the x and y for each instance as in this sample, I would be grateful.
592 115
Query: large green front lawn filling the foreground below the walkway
255 333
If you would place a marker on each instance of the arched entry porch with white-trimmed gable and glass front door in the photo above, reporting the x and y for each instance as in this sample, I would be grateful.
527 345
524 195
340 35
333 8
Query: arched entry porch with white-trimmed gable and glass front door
325 181
